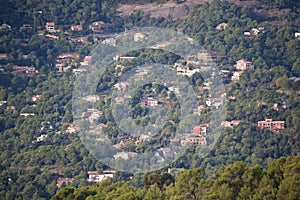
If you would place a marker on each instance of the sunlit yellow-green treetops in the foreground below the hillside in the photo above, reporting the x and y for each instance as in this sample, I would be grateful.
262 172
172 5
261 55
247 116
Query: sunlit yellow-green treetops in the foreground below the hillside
280 180
